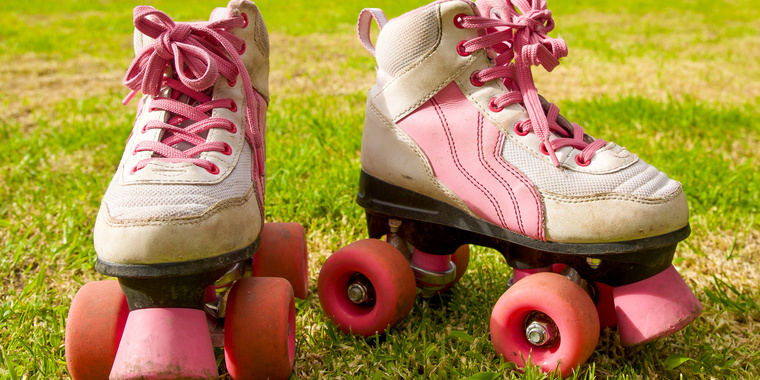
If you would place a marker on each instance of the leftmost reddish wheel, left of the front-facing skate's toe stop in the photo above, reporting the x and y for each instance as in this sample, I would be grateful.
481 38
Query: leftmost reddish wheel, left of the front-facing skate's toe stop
94 327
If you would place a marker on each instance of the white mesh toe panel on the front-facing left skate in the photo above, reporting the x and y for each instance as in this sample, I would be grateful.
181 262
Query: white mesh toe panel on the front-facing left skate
156 201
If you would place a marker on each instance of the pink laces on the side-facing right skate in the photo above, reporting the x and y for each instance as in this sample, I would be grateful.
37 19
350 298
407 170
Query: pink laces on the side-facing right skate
521 37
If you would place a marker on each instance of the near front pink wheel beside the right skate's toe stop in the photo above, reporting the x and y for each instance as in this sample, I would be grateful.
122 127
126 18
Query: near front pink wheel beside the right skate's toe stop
549 318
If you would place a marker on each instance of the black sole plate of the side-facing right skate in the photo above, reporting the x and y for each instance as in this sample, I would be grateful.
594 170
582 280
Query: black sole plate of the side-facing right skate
439 228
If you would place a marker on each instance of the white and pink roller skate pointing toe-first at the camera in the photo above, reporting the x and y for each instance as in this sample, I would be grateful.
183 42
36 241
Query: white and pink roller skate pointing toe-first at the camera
181 224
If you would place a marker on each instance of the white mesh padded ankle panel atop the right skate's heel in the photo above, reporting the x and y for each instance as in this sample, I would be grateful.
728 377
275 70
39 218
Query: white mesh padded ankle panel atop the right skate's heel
407 39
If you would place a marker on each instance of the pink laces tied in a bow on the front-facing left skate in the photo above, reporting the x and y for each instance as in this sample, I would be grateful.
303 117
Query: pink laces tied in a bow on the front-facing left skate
201 52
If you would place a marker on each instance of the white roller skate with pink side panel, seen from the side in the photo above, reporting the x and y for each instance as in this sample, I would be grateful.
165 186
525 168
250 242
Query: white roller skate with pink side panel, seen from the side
458 148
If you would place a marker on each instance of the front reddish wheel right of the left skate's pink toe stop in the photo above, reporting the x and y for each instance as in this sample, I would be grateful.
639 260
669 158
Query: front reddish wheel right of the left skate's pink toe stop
259 329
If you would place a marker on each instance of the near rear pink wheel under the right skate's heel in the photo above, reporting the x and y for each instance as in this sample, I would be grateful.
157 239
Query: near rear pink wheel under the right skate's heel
366 287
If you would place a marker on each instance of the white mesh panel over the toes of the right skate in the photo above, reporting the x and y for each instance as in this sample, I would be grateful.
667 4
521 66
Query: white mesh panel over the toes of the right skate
639 179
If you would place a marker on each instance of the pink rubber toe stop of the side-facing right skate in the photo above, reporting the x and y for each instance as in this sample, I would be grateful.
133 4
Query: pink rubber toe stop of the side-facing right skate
655 307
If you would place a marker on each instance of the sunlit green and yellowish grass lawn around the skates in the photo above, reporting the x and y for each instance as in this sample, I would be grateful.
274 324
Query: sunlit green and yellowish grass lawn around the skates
676 84
